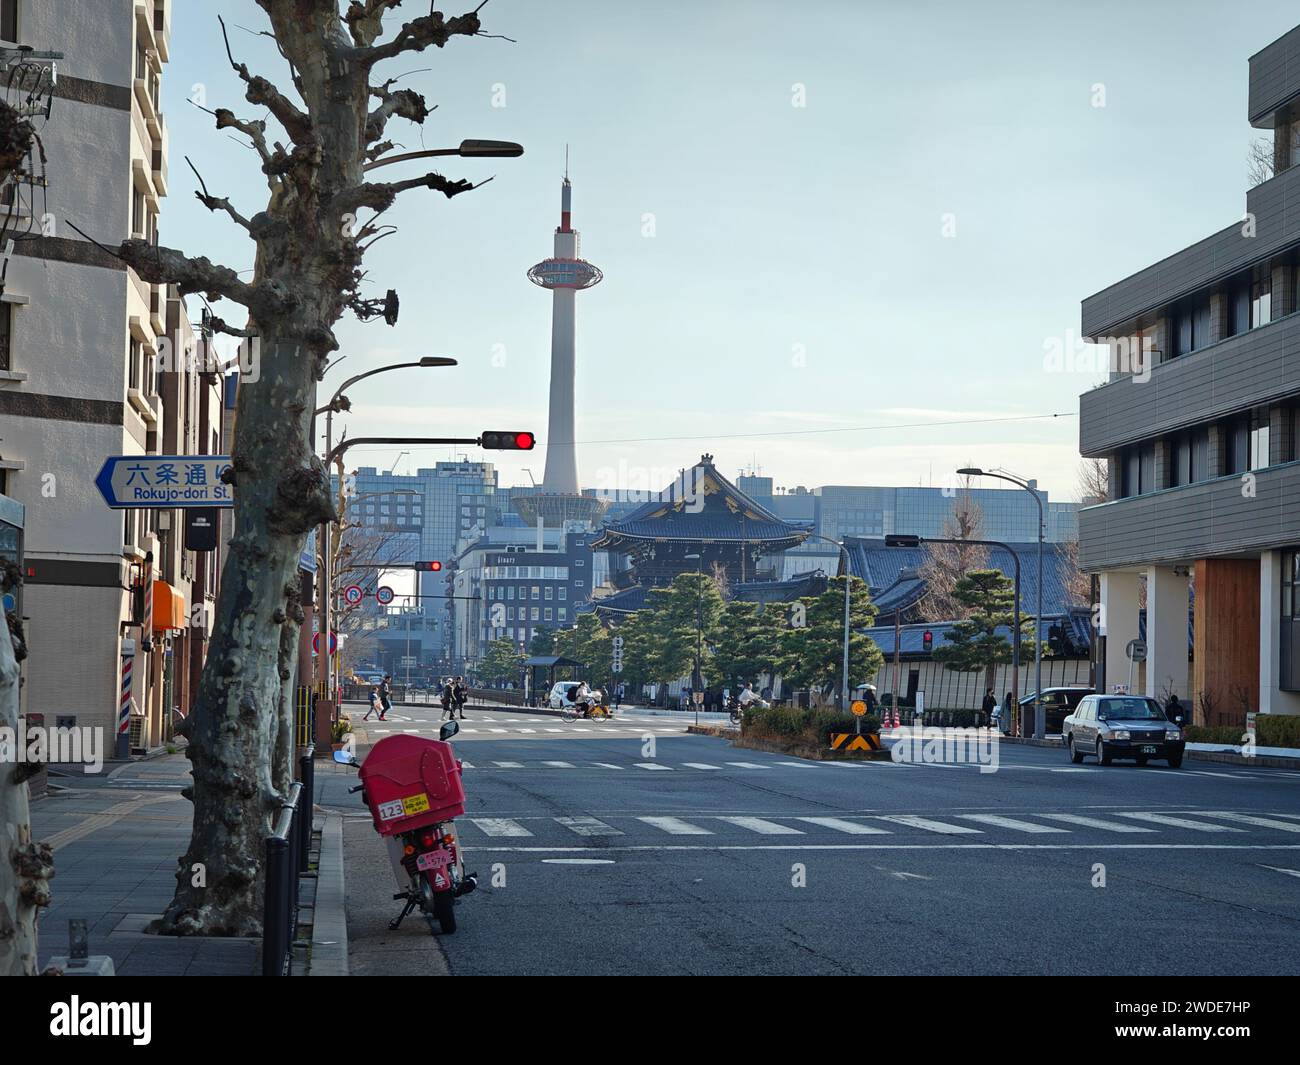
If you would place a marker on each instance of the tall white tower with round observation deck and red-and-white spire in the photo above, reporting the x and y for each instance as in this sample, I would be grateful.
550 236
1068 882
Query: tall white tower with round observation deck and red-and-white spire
564 274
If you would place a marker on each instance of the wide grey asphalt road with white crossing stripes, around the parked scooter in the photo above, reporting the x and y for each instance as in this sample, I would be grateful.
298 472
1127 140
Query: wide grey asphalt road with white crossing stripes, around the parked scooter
631 847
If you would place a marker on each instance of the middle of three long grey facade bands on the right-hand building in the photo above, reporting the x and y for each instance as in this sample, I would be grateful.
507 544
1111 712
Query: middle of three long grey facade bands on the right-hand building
1250 370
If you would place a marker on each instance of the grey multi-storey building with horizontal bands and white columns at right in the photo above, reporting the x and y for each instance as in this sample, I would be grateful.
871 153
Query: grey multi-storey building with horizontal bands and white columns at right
1199 428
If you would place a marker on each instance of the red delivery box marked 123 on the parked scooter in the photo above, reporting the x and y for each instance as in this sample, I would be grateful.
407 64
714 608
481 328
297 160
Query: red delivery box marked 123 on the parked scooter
411 782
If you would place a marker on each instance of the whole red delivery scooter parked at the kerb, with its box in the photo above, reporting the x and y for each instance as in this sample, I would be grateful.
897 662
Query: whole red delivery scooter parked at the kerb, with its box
414 791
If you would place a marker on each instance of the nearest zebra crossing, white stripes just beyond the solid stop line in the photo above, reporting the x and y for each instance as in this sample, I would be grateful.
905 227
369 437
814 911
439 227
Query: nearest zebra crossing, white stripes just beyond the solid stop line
976 828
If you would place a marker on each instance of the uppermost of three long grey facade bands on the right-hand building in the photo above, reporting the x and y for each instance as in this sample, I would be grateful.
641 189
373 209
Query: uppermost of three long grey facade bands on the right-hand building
1276 209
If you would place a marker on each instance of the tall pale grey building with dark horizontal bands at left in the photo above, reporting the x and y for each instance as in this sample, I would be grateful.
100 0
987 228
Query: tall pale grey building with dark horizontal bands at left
79 376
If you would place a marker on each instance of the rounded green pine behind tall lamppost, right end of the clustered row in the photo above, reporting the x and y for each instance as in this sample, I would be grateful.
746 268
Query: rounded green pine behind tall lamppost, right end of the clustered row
813 643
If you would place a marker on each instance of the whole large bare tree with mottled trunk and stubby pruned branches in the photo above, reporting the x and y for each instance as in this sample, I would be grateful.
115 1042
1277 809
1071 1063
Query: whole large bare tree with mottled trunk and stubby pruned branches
314 144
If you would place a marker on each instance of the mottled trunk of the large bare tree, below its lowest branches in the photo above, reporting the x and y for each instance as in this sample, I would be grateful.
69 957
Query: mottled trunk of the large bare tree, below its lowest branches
281 492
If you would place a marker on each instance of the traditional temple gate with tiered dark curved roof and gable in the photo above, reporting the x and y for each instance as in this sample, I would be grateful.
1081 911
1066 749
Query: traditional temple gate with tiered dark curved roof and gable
701 523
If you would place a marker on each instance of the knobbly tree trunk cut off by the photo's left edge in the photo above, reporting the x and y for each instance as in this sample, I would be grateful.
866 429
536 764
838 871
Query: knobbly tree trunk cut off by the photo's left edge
25 868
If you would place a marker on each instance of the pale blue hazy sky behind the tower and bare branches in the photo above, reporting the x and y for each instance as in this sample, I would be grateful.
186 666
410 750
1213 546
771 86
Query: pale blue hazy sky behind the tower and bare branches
839 239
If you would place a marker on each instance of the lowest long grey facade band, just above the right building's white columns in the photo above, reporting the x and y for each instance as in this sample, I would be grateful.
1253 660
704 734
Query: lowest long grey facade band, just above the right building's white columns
1230 516
